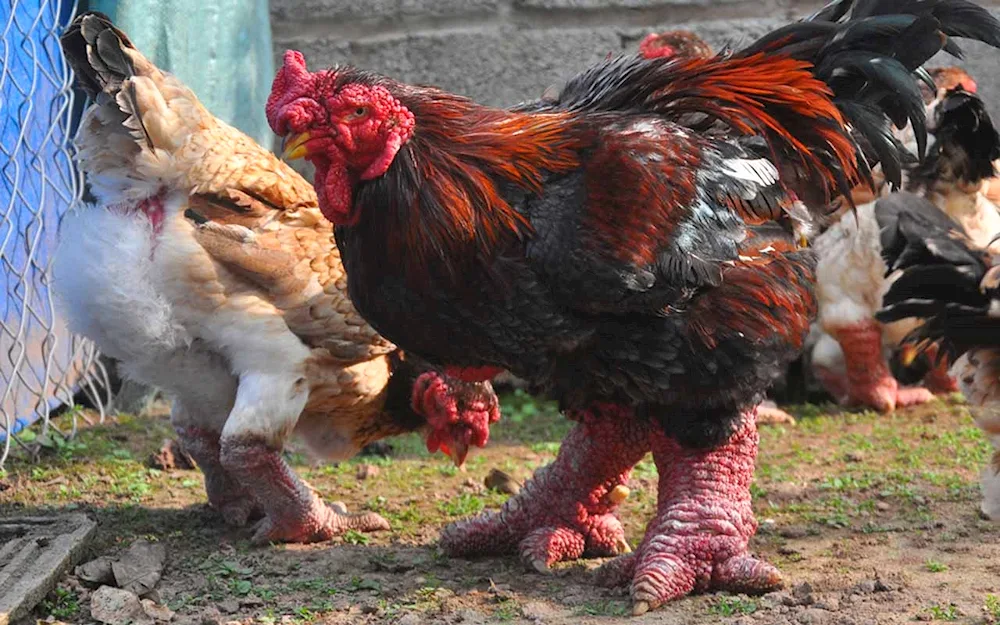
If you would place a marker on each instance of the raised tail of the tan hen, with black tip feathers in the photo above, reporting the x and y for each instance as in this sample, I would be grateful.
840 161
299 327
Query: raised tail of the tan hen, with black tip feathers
140 116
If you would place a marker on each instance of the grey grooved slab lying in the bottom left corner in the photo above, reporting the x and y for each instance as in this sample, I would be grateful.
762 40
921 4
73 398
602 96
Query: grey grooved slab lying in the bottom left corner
34 553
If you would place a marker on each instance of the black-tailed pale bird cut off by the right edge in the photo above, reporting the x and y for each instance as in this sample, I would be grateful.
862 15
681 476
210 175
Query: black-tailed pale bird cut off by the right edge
952 285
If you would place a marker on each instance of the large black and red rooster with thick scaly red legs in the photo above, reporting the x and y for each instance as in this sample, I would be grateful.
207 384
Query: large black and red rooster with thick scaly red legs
632 244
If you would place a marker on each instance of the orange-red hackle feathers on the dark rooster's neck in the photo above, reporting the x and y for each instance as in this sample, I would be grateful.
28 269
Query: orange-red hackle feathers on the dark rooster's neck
464 149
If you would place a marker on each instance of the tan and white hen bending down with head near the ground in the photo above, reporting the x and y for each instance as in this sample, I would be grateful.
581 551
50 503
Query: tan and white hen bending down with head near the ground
207 270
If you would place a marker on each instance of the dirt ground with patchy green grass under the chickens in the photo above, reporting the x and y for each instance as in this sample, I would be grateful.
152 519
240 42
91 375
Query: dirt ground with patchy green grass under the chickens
872 519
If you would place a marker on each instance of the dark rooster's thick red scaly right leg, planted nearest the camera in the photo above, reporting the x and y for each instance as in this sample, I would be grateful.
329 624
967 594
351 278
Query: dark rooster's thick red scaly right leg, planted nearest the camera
699 537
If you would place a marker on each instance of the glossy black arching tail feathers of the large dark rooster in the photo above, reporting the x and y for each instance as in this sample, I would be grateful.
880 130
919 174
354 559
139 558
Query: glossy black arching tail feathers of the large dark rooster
870 53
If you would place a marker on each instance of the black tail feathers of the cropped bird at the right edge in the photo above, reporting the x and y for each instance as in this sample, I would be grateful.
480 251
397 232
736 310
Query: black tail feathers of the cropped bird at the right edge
944 280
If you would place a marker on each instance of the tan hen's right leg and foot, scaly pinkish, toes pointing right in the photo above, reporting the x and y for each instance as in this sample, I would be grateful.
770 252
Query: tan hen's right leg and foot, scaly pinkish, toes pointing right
293 511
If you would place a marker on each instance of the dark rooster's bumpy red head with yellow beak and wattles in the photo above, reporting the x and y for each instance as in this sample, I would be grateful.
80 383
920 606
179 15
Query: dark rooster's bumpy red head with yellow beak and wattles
344 121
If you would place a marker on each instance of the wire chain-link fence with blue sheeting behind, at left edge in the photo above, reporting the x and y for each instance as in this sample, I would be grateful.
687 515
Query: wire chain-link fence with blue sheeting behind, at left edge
42 366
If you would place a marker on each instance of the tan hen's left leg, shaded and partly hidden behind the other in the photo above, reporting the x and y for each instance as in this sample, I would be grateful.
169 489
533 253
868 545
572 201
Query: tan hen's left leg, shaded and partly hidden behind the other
236 504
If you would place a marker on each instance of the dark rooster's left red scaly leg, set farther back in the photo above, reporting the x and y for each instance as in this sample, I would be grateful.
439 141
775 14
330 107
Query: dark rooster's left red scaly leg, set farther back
568 508
